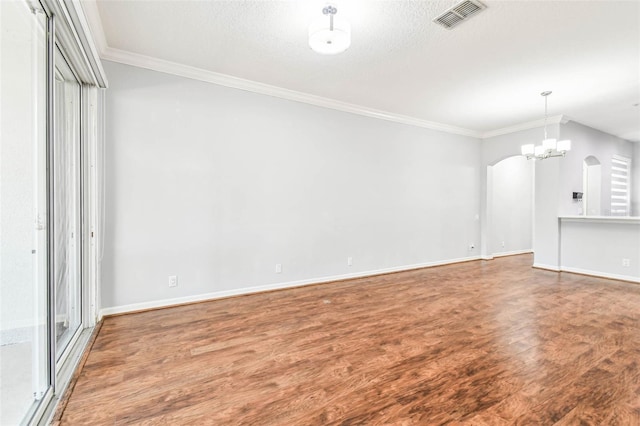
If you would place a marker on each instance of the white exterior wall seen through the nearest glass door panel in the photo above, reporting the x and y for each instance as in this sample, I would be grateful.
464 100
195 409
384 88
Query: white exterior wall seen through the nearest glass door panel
16 167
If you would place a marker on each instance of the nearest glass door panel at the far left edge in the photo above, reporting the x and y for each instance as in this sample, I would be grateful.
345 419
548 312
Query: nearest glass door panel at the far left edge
24 323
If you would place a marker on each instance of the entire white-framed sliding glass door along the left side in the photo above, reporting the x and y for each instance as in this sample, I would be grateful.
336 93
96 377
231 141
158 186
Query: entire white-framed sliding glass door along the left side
49 169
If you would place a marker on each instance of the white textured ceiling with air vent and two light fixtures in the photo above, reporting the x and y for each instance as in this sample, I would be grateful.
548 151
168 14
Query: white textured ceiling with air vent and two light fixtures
483 75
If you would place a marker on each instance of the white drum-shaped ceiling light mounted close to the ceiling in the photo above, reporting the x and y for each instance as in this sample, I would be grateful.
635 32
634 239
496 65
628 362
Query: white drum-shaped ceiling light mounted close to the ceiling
329 36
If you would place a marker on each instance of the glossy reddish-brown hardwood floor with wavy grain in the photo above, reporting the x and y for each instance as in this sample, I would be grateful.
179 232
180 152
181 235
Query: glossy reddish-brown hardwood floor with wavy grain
484 342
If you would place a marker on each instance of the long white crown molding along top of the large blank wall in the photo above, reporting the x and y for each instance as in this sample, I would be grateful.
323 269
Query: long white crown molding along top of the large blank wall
168 67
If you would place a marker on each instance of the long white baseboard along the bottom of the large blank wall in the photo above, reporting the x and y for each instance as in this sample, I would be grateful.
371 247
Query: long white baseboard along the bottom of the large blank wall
113 310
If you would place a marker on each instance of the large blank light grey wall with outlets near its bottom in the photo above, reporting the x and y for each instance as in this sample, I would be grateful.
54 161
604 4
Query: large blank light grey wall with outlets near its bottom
217 185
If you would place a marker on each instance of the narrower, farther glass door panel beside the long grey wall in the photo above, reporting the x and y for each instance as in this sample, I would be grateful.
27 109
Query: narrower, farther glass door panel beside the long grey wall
66 205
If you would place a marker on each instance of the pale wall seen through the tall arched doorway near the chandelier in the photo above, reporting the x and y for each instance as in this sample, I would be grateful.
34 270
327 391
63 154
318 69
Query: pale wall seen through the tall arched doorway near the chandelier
512 205
